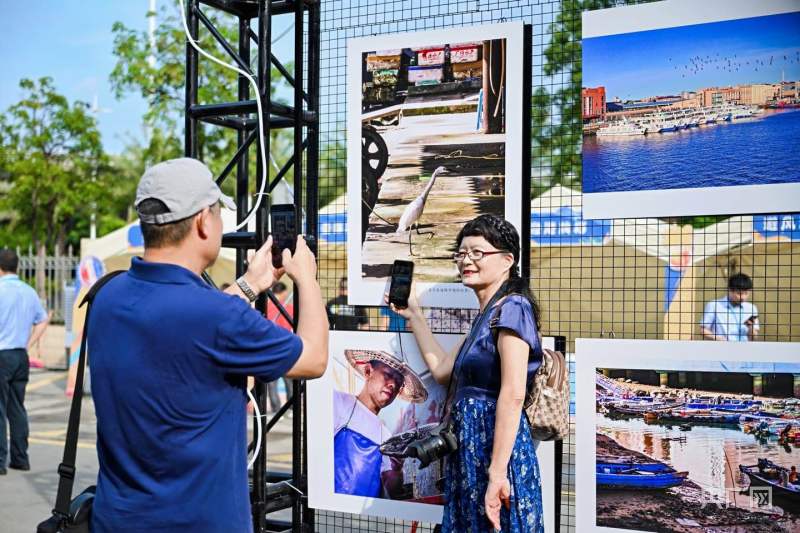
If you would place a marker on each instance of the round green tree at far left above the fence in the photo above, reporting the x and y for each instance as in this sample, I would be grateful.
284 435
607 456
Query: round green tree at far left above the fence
55 170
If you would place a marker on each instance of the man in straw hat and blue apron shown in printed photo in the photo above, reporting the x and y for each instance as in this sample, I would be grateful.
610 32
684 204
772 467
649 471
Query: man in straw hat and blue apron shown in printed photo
360 468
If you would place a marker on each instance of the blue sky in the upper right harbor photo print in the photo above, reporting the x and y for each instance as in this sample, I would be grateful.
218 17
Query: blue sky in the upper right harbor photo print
671 60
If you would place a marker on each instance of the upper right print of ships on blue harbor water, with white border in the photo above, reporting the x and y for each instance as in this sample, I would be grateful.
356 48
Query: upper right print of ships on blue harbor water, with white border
691 111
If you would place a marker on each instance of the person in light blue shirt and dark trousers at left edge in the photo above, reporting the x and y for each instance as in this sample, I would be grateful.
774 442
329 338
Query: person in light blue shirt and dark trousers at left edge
22 322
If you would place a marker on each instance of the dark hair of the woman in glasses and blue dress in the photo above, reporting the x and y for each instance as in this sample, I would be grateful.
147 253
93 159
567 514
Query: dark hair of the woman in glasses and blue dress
504 236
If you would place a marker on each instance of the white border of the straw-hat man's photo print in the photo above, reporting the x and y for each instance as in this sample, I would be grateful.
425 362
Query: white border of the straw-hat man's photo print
321 494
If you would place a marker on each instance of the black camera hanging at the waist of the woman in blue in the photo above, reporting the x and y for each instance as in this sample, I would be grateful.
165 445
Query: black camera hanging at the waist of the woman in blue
427 443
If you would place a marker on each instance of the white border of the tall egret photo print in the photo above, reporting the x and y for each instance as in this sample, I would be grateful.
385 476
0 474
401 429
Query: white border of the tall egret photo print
451 295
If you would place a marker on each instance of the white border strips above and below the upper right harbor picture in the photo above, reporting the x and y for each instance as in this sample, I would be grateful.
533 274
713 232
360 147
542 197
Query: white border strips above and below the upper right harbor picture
728 200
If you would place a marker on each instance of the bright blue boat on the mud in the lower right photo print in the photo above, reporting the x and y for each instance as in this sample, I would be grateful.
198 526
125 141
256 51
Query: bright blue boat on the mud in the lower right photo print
641 476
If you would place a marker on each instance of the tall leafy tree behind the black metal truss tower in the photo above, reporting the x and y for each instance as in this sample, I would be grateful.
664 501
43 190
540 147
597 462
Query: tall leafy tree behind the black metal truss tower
161 83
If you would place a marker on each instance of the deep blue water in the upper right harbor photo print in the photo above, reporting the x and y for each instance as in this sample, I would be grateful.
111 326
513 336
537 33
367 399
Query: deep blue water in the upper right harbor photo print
758 151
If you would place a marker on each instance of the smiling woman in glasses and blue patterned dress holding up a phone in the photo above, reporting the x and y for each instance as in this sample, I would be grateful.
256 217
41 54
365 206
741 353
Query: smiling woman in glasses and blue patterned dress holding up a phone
492 481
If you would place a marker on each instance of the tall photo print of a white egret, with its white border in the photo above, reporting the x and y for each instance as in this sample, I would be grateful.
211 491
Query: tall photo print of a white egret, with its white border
431 120
